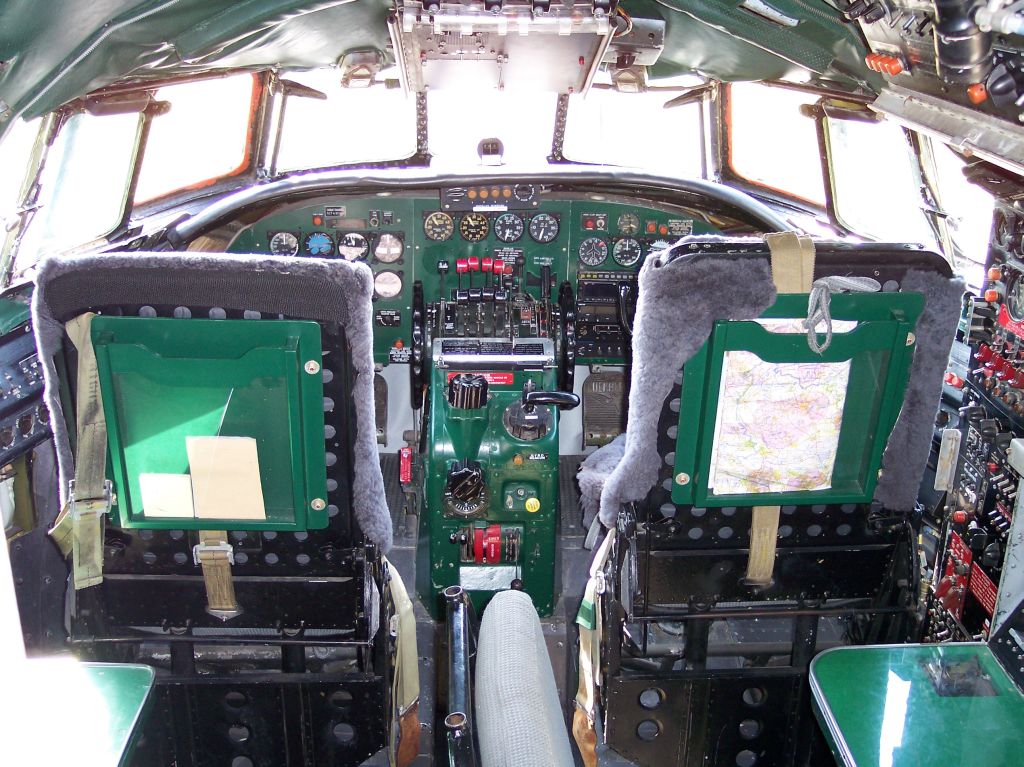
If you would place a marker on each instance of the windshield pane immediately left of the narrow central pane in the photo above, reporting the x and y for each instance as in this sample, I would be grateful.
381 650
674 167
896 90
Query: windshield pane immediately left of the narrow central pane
353 125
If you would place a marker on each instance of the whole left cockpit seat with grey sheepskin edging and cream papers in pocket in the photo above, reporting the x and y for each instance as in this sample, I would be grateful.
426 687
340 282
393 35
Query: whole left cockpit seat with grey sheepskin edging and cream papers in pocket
224 504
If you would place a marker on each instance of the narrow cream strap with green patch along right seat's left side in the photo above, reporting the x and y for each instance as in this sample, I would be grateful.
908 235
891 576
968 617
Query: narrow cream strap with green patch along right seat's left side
589 620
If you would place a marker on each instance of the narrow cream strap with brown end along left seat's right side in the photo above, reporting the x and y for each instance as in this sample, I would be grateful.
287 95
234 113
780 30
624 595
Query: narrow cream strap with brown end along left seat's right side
406 684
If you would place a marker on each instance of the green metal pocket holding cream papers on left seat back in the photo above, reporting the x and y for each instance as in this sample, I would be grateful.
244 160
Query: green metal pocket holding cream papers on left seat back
166 380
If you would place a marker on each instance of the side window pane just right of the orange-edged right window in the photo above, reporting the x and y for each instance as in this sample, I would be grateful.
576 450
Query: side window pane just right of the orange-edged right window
877 183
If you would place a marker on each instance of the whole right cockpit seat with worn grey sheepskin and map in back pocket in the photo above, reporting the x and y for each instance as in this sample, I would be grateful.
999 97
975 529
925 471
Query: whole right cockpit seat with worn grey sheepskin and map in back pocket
748 524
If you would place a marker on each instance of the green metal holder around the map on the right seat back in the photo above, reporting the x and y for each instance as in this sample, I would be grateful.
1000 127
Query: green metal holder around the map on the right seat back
879 359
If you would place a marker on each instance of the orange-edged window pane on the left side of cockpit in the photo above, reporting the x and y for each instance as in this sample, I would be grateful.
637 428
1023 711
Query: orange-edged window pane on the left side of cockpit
203 137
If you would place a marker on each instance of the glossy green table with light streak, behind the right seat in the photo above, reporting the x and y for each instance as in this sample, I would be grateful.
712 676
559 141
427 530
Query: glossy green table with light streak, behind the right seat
879 707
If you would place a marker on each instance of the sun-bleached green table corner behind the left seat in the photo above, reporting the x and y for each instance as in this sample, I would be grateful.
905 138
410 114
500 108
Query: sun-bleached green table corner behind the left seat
63 712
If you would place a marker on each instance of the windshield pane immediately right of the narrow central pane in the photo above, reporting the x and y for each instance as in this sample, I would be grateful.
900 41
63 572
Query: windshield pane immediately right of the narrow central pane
636 131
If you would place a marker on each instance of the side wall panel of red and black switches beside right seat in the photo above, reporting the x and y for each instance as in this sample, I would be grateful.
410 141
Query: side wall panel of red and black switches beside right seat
986 387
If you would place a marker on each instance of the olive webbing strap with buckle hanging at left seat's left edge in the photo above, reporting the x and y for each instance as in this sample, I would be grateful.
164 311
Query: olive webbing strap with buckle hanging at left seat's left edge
79 528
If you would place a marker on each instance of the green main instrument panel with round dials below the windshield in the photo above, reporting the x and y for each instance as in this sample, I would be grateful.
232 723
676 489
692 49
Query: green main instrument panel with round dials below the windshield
479 247
